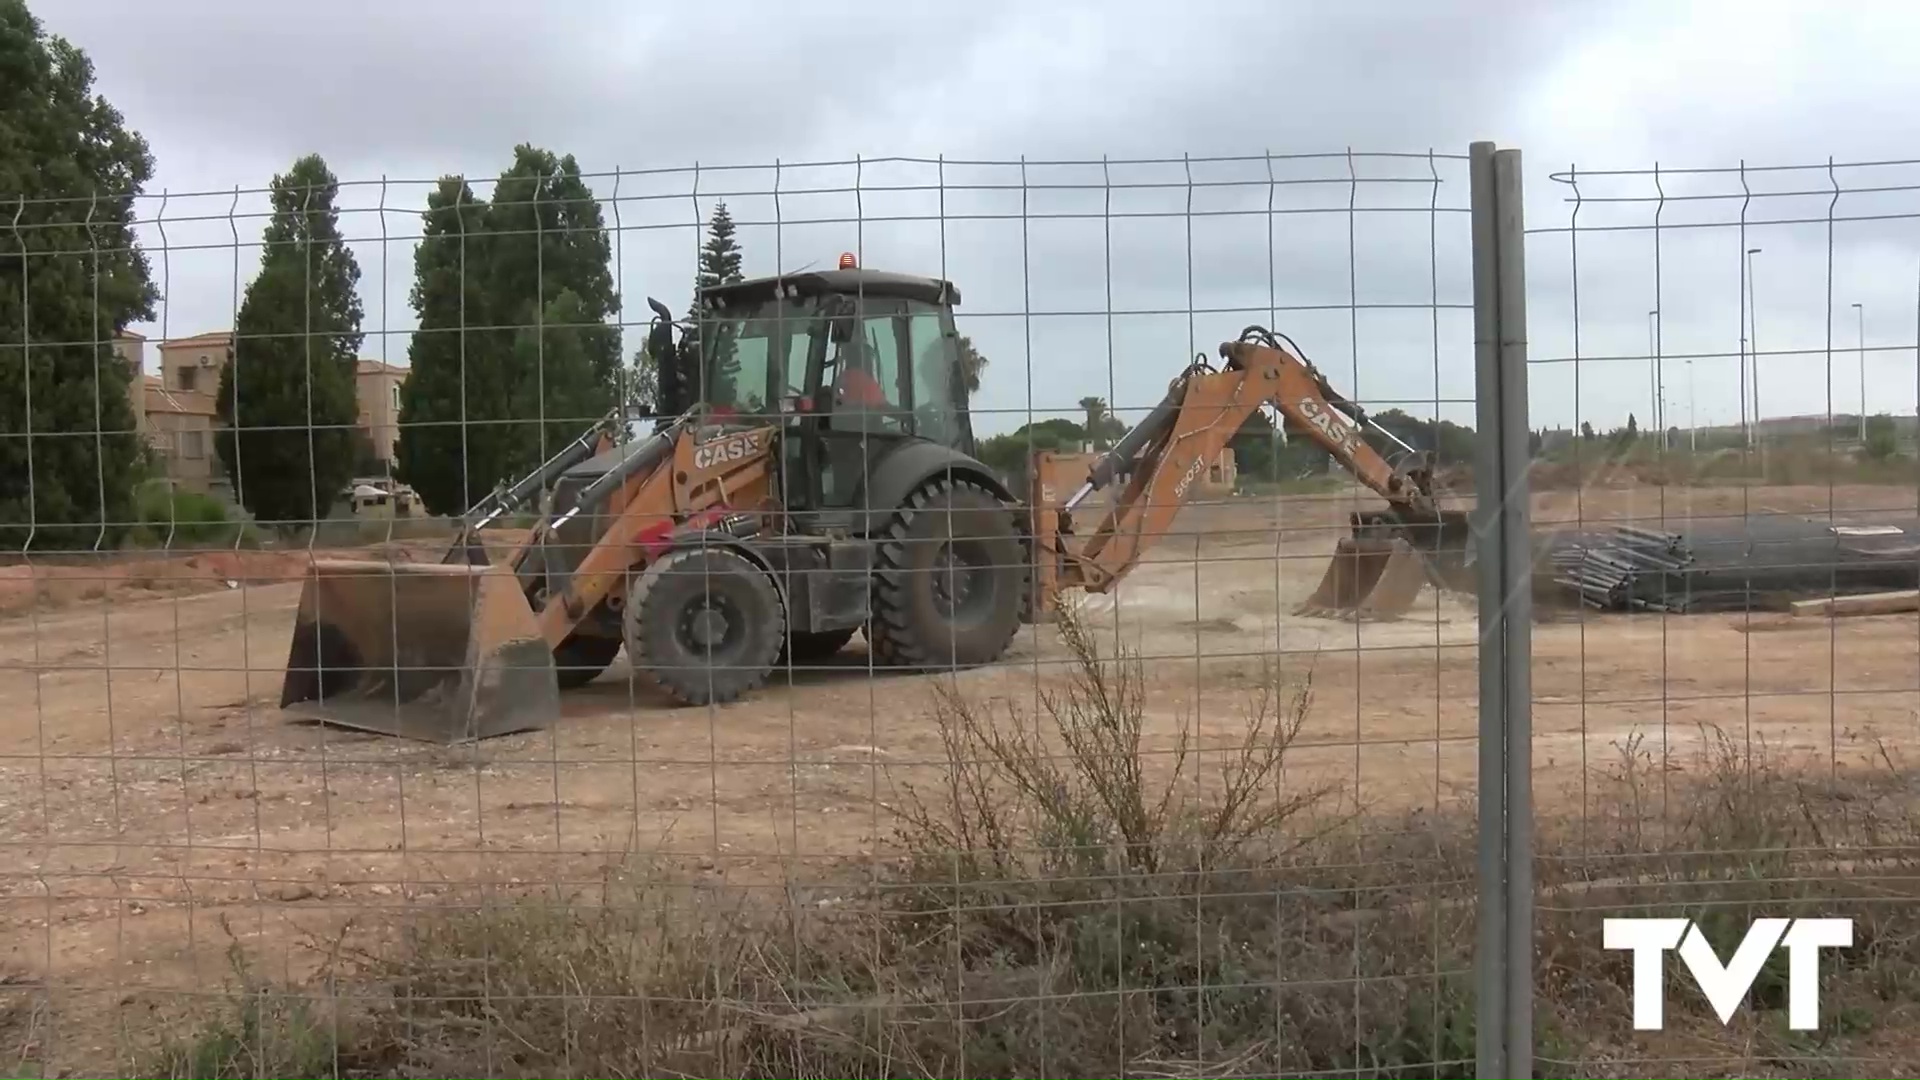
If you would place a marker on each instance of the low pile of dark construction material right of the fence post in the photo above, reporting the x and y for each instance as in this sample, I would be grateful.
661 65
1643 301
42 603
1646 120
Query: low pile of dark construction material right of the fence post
1737 564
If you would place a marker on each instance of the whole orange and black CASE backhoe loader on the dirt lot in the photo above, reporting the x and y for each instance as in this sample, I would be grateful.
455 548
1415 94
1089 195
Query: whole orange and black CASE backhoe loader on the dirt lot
821 483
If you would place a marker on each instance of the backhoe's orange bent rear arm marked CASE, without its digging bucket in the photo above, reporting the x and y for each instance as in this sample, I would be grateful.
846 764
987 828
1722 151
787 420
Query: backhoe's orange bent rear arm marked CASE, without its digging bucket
1172 449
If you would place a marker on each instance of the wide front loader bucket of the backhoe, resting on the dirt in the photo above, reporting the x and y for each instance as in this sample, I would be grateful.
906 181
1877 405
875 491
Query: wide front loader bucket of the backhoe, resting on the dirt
439 652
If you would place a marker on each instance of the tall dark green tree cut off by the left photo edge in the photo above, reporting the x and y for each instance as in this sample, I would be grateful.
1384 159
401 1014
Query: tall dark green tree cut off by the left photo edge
74 278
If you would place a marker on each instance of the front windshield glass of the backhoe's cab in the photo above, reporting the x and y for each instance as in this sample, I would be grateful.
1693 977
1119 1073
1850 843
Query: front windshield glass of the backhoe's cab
756 364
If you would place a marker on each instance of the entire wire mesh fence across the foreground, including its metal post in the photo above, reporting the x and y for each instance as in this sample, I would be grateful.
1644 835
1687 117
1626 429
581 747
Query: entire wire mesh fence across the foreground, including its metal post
817 739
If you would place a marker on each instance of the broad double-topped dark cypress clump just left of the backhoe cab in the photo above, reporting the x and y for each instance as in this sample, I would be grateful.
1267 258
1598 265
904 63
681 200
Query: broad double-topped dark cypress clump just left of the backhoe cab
516 353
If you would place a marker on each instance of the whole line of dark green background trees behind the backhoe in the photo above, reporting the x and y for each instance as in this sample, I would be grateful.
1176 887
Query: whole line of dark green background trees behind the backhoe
517 345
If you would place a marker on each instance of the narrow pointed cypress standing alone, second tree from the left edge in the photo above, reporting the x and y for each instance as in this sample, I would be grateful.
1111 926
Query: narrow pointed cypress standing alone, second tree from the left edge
287 403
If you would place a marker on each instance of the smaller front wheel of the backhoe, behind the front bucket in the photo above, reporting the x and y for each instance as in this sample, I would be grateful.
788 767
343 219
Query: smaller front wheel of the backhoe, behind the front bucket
704 626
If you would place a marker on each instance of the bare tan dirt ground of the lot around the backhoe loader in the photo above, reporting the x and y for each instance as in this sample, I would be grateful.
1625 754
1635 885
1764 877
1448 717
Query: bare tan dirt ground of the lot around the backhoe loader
155 804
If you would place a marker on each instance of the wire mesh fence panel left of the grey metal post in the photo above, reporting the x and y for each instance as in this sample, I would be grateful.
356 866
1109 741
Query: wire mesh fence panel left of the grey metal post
1178 829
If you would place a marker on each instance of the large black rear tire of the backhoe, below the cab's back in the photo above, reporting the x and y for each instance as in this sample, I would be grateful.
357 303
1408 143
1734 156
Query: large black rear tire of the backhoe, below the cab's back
949 579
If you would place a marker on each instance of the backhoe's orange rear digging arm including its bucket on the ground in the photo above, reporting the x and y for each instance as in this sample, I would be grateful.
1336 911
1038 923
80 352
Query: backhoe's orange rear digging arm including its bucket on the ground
1376 574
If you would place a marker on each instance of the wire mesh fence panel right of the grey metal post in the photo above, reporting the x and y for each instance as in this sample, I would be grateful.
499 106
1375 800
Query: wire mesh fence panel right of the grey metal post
1725 393
